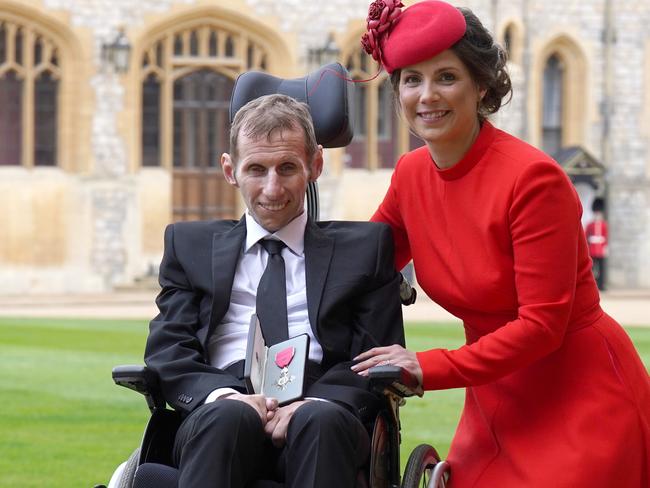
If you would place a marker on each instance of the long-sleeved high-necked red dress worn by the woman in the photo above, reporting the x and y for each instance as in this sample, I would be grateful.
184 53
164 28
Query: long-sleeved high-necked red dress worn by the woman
556 396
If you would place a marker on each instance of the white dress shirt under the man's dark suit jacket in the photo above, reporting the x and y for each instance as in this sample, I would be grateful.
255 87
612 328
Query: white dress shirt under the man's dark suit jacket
227 344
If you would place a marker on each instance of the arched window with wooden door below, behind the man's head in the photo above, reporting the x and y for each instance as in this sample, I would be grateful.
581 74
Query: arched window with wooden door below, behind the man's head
187 78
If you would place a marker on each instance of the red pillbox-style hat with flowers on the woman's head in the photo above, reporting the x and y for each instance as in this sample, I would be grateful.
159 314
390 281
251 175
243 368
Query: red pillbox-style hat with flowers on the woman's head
398 38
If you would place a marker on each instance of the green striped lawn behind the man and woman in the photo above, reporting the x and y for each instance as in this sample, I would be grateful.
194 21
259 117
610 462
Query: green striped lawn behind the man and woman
64 424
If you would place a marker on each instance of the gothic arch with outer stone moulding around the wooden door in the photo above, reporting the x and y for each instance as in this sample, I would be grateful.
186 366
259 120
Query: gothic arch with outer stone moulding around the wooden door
203 50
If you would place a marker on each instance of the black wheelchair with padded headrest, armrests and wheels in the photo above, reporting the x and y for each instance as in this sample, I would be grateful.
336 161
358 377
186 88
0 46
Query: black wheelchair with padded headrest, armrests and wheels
328 95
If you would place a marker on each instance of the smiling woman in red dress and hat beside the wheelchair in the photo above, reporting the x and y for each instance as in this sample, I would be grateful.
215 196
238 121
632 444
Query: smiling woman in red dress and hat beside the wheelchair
556 395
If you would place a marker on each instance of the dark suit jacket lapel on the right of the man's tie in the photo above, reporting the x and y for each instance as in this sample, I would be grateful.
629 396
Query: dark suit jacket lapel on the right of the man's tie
318 255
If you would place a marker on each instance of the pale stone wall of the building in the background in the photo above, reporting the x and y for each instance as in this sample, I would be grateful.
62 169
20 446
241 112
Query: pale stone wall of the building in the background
113 239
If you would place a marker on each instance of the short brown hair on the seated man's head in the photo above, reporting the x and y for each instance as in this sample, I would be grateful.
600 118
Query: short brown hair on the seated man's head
263 116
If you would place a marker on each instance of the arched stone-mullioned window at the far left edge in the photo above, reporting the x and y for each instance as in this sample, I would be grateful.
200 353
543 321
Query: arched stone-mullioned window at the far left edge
29 96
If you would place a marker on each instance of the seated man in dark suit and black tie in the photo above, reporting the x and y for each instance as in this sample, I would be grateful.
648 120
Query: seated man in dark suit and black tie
341 289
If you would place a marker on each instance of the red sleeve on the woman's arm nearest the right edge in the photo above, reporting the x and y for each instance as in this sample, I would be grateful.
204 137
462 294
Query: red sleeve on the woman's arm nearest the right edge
544 223
